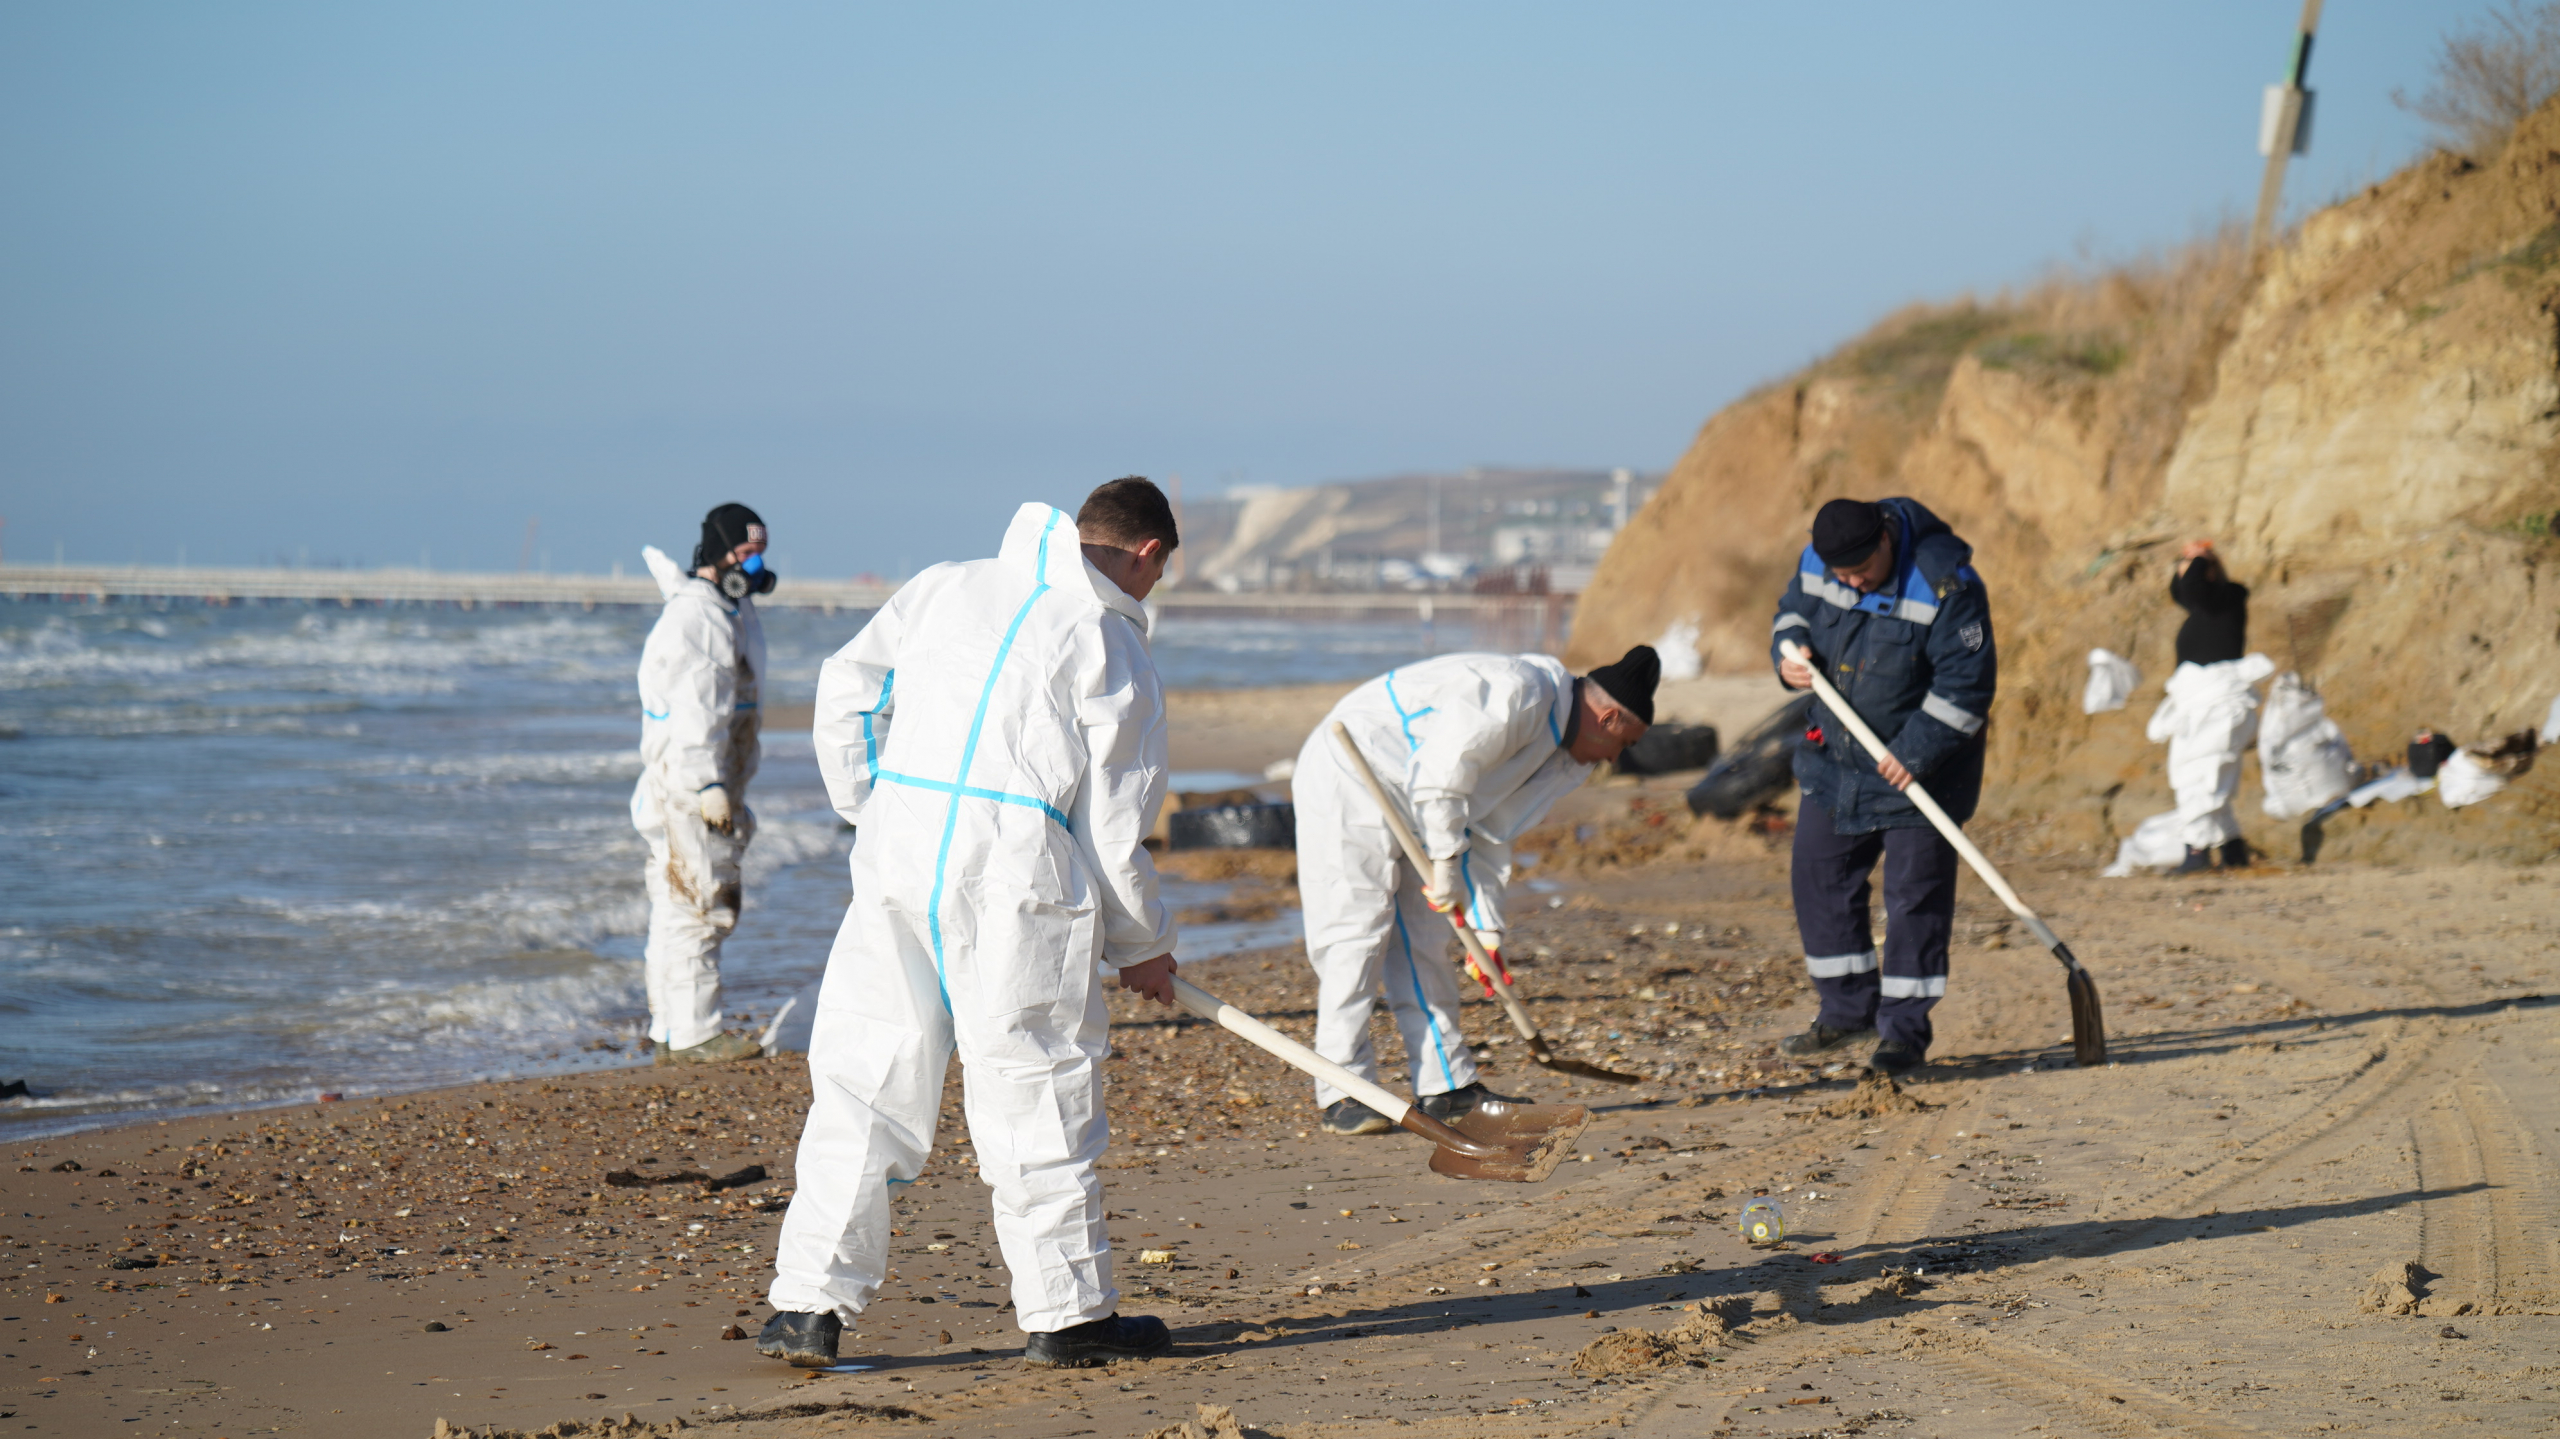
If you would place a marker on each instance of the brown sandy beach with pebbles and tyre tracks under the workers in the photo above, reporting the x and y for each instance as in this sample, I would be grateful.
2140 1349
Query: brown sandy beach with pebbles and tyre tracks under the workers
2321 1077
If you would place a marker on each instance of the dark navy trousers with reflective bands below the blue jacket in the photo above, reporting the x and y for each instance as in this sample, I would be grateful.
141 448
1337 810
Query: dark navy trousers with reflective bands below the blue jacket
1832 895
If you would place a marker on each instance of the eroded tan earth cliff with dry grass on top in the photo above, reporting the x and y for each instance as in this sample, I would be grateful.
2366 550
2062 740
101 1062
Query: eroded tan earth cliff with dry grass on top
2367 424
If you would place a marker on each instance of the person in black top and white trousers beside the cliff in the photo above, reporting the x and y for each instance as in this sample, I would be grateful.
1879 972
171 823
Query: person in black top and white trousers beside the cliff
2211 716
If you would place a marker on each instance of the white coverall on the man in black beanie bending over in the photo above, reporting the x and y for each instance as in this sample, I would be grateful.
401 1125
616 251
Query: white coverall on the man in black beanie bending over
1473 752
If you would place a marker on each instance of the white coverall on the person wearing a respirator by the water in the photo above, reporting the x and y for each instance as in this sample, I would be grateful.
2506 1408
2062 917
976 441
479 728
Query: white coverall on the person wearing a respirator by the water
698 728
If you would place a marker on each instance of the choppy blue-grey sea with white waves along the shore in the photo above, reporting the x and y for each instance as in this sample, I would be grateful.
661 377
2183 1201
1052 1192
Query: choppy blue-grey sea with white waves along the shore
273 851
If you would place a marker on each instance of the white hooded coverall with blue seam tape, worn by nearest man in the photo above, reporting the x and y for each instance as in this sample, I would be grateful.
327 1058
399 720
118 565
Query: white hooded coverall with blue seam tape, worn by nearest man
997 739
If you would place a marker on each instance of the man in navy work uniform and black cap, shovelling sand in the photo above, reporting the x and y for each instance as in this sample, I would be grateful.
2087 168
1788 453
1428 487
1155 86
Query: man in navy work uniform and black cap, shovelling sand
1893 611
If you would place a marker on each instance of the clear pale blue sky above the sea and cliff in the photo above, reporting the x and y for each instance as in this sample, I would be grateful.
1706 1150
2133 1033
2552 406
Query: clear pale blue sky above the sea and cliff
370 283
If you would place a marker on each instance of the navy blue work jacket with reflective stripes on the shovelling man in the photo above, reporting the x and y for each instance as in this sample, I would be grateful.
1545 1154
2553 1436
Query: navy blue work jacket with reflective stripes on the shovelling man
1916 662
